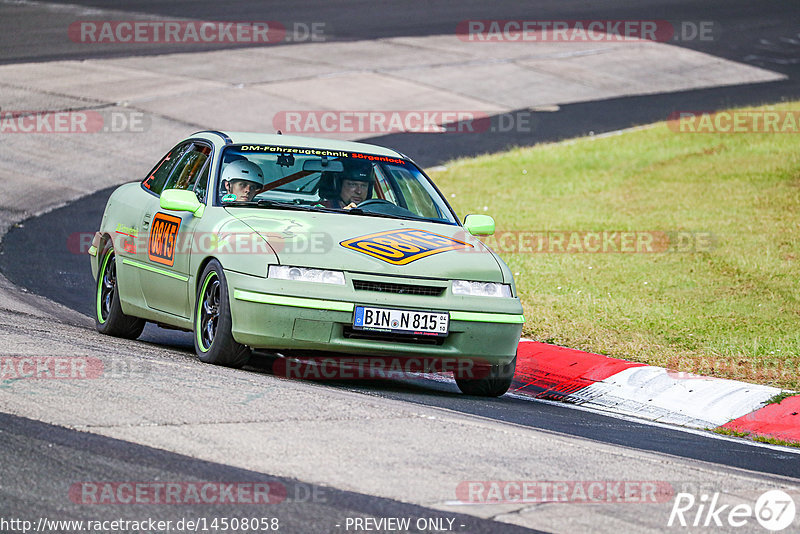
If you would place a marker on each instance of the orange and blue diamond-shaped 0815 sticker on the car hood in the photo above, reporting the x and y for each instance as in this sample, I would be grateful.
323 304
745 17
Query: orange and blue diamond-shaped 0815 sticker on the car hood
401 247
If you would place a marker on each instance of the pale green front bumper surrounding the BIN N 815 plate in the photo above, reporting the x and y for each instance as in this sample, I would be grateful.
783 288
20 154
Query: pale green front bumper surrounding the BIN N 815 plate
285 315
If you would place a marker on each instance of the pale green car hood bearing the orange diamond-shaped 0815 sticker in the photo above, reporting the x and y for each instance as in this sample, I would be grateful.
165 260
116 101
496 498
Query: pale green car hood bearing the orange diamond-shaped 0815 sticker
349 243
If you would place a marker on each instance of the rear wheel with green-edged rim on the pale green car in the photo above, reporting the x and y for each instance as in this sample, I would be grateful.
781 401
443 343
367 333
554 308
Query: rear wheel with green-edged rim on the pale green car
109 318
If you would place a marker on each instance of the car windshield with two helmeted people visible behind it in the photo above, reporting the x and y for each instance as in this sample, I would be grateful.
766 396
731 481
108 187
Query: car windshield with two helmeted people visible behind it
328 180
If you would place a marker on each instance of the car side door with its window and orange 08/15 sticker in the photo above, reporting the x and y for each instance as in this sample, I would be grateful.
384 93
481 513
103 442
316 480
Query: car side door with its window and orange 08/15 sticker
166 278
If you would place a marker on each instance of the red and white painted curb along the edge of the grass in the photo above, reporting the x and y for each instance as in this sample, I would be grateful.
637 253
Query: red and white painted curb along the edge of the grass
652 393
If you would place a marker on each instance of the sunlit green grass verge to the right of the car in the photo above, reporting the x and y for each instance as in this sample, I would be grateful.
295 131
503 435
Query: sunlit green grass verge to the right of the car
717 291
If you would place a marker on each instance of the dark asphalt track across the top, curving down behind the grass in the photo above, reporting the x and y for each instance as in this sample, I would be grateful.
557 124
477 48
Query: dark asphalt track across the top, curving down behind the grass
762 34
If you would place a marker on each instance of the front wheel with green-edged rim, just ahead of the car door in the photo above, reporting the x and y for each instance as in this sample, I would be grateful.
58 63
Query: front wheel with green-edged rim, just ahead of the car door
213 340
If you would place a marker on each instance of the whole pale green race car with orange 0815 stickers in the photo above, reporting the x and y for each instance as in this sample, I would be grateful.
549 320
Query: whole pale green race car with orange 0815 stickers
256 241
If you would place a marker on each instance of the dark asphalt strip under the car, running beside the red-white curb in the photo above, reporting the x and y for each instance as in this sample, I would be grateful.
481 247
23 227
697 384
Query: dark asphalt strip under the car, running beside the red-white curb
53 239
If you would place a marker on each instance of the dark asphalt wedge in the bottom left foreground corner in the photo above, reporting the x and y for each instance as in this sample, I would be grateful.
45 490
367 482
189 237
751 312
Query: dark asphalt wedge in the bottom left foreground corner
49 454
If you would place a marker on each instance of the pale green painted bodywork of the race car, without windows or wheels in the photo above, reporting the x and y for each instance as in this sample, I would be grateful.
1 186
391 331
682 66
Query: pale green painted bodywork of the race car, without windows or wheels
247 239
